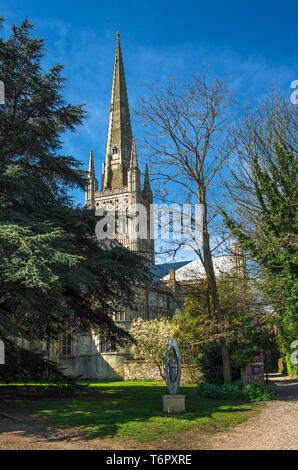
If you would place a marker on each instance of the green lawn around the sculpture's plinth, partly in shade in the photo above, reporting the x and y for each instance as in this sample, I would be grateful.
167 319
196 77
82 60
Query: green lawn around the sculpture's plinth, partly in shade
133 410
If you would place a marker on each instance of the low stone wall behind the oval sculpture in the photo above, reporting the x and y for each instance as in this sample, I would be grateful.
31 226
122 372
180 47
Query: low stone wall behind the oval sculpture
142 370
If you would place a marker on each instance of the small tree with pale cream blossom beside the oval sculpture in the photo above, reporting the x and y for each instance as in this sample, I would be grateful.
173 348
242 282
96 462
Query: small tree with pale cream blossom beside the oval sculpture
150 338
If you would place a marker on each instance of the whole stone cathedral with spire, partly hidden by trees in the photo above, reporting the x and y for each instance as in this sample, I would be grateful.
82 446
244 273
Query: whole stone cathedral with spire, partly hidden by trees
91 356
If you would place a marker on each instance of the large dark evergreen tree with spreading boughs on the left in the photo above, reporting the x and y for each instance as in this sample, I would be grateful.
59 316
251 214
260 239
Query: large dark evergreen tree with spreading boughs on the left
53 274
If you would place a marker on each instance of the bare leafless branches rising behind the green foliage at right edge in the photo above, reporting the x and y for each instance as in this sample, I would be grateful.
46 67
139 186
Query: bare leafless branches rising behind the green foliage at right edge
256 134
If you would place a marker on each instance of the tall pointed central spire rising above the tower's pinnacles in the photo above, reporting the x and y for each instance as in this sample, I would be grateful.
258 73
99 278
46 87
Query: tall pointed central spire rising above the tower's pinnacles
119 142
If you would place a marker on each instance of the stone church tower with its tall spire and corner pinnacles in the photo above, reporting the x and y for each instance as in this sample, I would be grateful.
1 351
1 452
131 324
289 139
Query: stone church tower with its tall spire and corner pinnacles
121 176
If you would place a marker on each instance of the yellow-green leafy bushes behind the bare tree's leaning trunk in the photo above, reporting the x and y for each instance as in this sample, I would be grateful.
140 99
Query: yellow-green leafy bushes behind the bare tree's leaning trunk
197 334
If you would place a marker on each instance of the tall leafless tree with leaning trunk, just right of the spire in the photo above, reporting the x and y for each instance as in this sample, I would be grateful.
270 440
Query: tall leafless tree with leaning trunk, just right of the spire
186 133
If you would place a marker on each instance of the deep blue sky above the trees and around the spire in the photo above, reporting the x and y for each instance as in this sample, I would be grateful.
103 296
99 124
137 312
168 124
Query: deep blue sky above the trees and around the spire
254 42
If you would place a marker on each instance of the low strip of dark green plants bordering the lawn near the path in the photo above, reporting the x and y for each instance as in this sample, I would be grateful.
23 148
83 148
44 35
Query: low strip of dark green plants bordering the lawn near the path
236 392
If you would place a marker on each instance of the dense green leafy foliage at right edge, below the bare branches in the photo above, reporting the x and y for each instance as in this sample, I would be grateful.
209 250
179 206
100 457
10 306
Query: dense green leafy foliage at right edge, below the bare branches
273 242
